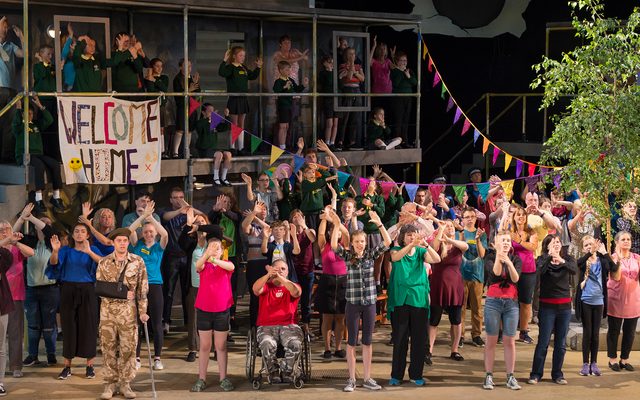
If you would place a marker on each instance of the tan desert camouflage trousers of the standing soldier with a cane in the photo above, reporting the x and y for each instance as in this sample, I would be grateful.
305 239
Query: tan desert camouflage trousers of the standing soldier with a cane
118 340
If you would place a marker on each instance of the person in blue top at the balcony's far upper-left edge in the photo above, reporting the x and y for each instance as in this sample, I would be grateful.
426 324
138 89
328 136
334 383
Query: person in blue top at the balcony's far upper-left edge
9 51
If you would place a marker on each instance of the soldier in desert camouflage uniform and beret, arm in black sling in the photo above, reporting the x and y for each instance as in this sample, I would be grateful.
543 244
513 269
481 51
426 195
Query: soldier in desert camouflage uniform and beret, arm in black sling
118 327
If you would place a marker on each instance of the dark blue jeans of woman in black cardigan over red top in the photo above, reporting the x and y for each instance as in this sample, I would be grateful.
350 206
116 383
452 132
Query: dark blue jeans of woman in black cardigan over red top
556 321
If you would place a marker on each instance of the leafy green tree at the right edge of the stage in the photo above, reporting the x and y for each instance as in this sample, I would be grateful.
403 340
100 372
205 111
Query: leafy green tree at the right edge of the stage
597 138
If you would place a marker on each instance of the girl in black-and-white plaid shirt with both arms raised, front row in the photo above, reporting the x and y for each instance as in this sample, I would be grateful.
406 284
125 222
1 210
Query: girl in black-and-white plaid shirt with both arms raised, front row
361 294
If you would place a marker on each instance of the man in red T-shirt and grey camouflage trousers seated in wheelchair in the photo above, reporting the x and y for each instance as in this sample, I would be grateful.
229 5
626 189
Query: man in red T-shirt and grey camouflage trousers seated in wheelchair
276 321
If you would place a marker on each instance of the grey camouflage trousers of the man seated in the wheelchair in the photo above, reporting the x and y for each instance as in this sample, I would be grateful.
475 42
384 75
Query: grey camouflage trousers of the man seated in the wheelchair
290 337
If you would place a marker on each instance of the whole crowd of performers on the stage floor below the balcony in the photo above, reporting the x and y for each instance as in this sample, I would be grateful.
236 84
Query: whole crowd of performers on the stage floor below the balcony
540 262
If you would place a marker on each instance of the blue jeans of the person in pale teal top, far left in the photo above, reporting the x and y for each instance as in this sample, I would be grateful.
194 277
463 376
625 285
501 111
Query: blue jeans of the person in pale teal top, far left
41 305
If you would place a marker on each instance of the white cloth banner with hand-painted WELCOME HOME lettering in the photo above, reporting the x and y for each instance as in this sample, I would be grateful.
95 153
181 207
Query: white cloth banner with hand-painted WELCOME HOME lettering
104 140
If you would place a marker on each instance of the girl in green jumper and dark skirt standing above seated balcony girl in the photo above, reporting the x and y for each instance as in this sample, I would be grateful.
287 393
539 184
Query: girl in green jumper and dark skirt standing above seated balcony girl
238 76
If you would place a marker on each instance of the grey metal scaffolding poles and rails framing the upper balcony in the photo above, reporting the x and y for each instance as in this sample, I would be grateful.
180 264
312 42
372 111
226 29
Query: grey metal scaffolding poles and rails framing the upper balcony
208 8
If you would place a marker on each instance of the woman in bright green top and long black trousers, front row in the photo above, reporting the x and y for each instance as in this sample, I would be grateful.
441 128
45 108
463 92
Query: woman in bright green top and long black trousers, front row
408 303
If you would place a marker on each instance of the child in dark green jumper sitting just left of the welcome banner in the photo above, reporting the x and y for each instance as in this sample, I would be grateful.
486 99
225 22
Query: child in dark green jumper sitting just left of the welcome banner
38 121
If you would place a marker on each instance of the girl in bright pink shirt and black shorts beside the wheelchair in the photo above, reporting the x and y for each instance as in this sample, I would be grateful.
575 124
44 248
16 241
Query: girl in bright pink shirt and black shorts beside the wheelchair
213 303
